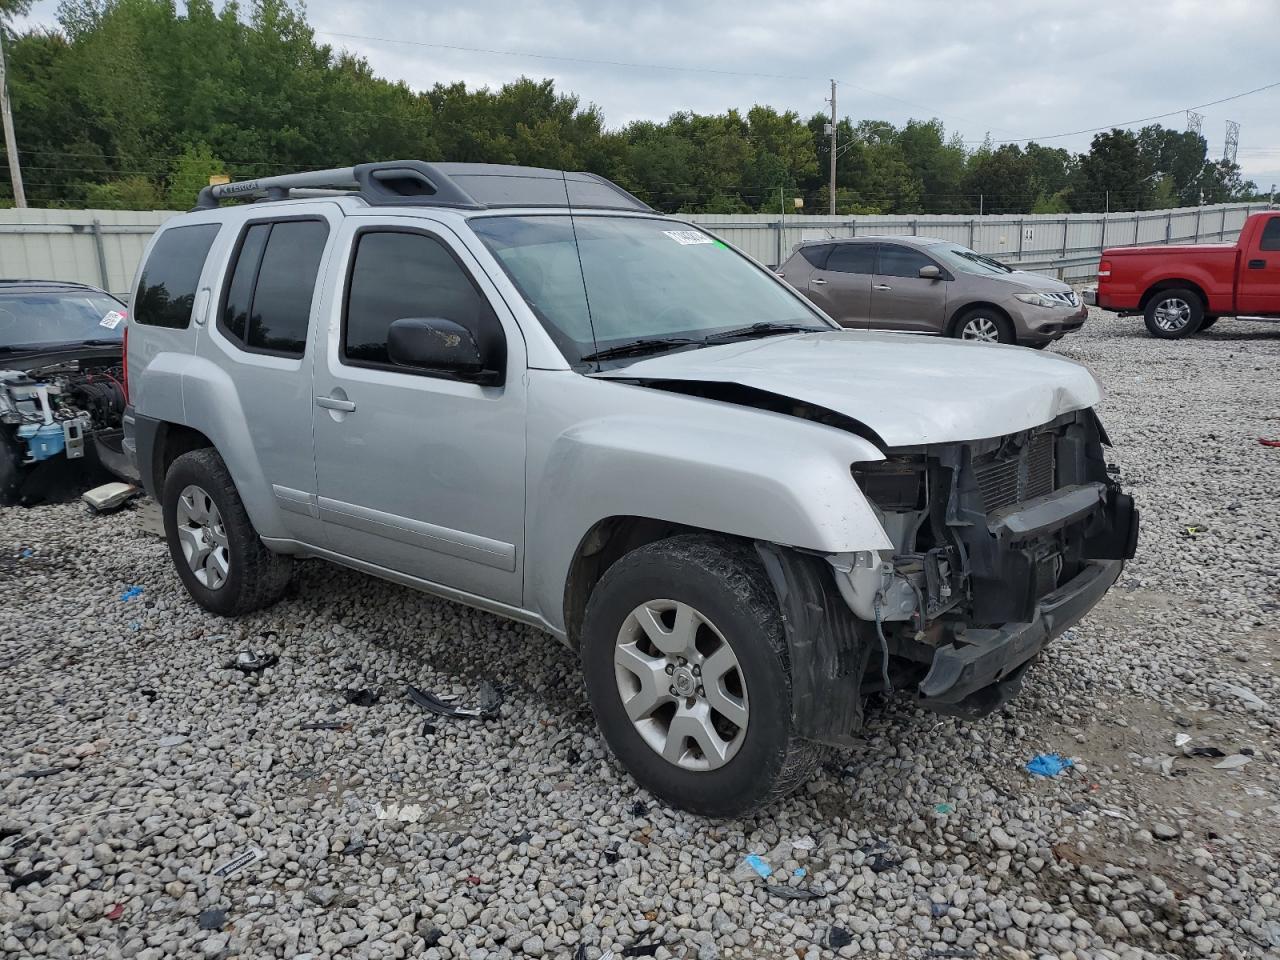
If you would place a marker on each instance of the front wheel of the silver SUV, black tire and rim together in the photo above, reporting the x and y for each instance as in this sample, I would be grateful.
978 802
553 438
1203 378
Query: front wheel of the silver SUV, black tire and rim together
688 671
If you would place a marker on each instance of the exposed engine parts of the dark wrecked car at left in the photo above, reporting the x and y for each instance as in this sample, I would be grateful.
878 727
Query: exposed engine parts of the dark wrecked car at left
54 409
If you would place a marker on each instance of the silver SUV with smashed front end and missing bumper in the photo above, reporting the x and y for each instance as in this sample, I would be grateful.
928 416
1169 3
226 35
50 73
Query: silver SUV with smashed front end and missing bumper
525 391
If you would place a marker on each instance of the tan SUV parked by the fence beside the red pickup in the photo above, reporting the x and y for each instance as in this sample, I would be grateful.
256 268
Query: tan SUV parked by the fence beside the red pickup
921 285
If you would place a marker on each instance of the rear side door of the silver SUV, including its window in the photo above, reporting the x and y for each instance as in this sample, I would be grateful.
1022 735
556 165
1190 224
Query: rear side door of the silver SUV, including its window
260 336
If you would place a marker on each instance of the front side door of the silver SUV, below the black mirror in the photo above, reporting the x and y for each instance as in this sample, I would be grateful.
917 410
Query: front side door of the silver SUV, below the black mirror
420 473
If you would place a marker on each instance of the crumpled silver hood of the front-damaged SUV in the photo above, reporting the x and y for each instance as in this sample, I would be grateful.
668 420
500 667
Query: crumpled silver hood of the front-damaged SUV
909 390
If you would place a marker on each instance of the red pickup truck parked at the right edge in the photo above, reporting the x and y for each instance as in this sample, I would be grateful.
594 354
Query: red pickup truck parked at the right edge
1181 290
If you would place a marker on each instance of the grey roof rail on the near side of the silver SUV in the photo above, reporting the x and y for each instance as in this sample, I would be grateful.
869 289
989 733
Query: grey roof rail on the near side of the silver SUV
385 182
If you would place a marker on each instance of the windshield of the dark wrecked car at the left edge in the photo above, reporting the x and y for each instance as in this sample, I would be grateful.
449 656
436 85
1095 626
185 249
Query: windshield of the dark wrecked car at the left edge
49 319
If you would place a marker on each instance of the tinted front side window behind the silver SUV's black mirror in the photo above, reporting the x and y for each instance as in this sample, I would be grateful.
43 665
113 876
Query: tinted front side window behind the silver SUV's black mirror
399 276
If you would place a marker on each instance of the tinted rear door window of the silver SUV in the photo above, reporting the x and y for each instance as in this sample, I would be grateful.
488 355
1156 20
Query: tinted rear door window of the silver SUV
268 303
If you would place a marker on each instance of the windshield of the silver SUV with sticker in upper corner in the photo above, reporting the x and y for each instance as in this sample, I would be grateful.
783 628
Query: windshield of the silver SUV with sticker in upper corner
629 280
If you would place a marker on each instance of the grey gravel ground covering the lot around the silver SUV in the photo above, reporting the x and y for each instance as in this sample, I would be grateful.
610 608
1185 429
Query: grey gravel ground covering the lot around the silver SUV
136 764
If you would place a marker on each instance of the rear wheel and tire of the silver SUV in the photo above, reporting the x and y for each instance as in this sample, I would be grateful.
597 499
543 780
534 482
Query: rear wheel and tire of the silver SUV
218 555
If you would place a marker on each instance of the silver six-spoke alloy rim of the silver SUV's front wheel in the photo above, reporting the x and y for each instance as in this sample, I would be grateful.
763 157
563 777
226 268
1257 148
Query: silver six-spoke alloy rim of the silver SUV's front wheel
682 685
